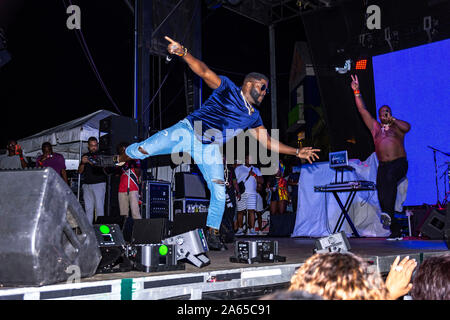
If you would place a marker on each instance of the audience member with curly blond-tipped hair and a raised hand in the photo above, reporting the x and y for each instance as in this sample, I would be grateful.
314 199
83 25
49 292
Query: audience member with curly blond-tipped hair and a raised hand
345 276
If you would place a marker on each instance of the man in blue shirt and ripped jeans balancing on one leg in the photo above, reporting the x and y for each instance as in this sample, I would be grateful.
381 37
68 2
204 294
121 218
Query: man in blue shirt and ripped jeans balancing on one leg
226 113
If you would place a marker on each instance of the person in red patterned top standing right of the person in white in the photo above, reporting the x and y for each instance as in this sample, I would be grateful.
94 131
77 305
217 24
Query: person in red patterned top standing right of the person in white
279 196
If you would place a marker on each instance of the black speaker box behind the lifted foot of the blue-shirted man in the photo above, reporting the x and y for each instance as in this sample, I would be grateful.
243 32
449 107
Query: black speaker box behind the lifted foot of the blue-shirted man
118 129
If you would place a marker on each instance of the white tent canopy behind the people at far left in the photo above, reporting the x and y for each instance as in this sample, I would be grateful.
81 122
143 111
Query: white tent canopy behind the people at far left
67 137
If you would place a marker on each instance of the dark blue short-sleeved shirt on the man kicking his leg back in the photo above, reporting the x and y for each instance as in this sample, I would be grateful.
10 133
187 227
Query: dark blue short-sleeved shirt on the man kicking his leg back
224 115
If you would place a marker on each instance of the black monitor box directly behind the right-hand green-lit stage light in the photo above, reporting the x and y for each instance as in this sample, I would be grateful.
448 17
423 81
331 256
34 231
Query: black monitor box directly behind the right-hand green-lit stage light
148 231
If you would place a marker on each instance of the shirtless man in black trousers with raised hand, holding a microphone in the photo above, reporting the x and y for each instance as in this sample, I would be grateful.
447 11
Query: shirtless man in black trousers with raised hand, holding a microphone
388 137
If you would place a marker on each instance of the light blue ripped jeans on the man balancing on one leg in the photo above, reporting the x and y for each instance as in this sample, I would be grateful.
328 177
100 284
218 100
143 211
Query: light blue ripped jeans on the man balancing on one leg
180 138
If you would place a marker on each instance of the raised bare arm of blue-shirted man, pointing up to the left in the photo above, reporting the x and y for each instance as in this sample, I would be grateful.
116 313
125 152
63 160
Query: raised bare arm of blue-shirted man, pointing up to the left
199 67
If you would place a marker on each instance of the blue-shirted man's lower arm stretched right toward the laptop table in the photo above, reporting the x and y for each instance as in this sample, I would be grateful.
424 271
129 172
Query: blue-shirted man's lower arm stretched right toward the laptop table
260 134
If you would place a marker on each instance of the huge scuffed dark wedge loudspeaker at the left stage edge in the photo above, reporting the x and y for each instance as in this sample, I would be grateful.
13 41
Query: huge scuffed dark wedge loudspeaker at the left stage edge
44 231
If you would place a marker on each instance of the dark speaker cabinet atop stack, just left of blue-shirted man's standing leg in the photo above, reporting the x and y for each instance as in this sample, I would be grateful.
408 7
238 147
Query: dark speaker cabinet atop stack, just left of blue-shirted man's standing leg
189 185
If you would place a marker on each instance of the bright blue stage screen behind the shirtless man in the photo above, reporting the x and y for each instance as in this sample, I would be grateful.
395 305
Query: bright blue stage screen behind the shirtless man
415 83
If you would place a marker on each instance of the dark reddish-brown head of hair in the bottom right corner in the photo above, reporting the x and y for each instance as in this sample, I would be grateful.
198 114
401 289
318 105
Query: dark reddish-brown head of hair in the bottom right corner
432 279
